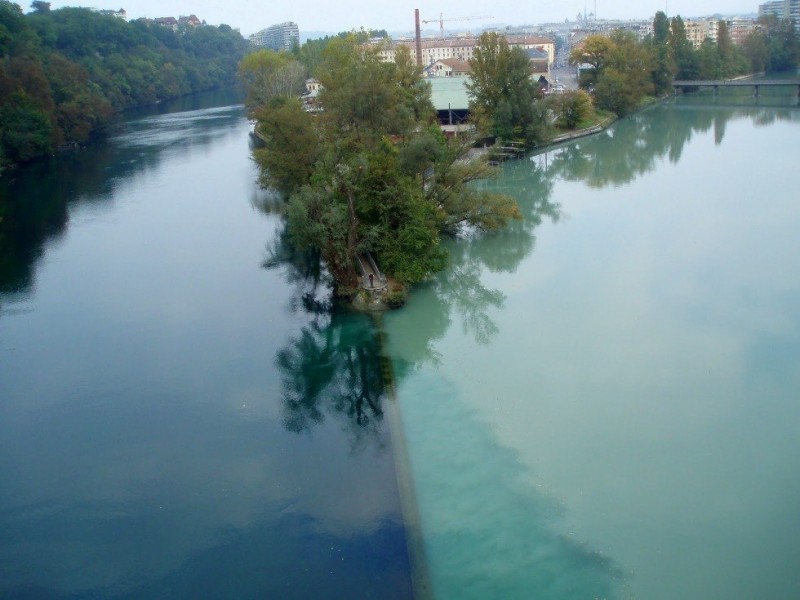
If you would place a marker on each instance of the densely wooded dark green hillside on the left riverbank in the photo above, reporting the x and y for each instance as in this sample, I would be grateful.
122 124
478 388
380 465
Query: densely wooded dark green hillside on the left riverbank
64 73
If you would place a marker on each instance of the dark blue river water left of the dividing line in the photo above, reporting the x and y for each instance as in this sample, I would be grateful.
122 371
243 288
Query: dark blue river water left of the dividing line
177 420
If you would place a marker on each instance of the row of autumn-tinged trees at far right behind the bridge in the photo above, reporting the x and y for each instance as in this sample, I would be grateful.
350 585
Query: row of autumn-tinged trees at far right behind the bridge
624 71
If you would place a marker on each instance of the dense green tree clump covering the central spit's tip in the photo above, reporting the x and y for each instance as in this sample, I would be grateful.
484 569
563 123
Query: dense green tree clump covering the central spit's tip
372 172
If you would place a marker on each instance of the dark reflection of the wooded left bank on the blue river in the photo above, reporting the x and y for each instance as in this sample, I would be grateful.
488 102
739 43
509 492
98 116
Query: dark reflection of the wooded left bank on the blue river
34 200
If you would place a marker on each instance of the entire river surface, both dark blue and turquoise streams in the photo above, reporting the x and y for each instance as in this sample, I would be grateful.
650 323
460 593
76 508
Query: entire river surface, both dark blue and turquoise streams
598 402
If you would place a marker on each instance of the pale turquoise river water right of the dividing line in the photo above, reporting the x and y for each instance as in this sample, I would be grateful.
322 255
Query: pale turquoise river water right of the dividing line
604 400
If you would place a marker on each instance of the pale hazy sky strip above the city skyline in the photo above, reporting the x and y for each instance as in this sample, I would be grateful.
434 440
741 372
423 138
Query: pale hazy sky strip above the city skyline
250 16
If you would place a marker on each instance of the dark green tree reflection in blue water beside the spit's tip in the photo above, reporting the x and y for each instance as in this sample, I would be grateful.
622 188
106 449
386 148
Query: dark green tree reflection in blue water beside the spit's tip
333 366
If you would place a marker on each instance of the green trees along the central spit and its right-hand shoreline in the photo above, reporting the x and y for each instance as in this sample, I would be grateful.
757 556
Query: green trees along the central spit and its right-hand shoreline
369 172
